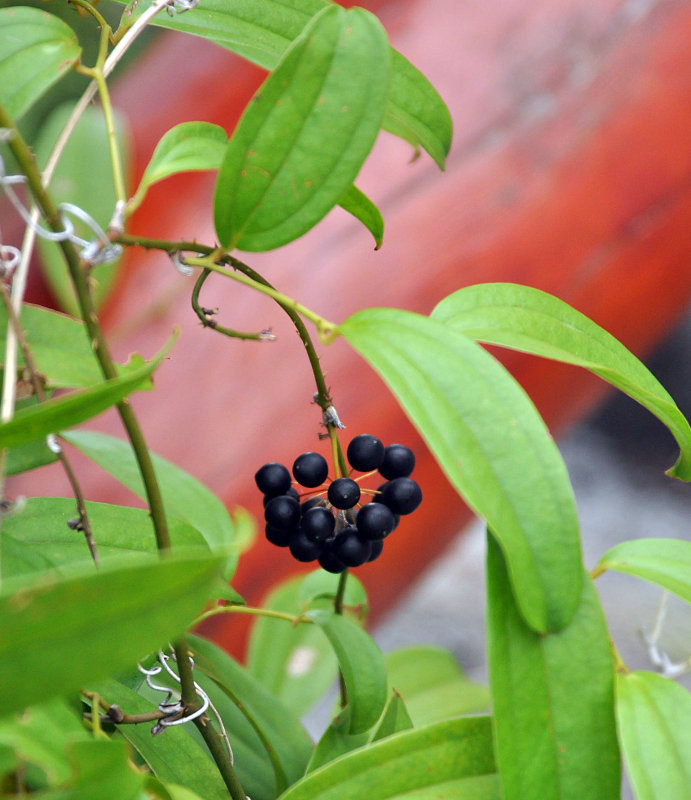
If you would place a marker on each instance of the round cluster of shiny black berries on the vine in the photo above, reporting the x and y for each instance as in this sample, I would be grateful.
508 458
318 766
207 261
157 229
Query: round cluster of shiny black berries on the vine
329 524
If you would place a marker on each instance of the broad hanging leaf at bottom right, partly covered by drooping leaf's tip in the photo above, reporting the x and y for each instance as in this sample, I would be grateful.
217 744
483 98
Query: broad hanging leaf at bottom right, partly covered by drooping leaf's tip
553 698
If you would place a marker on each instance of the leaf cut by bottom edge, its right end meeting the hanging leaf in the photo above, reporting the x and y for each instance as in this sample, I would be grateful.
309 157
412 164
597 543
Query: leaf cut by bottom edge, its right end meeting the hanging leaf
418 764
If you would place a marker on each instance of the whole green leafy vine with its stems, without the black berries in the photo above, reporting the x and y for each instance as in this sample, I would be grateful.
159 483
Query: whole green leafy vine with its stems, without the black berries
89 640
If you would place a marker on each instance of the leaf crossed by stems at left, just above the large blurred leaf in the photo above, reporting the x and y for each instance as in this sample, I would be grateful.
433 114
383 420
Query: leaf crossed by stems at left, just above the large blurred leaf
41 526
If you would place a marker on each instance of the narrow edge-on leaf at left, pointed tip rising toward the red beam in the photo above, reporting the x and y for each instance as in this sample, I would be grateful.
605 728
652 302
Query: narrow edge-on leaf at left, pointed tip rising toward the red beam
71 409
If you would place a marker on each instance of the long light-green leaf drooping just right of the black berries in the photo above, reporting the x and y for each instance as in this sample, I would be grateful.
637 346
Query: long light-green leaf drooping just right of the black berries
493 446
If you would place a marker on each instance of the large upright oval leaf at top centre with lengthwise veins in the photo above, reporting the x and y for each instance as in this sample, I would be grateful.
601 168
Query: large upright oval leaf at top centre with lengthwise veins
303 138
